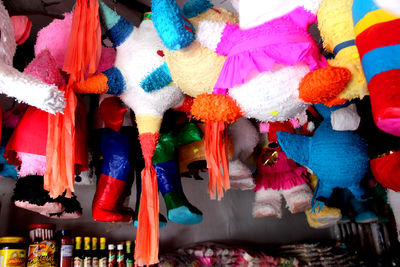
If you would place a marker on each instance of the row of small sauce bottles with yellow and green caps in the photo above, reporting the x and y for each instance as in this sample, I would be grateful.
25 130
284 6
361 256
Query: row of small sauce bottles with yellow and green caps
92 256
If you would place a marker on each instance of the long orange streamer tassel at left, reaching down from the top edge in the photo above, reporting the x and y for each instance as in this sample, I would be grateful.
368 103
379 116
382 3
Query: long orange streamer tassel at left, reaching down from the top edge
82 57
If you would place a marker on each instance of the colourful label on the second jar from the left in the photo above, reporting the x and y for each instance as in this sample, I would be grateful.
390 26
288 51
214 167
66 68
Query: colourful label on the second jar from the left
42 254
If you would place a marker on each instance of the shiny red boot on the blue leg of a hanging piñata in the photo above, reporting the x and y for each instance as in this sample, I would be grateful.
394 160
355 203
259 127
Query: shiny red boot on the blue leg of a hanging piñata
105 202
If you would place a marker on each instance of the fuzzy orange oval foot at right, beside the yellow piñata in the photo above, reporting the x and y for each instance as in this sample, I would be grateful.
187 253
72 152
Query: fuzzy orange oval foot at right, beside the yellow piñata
323 85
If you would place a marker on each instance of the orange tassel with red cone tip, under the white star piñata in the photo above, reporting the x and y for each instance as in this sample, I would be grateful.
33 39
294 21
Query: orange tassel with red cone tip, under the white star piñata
146 249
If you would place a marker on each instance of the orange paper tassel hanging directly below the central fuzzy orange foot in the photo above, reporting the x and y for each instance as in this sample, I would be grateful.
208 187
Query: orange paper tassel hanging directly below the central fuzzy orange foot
215 146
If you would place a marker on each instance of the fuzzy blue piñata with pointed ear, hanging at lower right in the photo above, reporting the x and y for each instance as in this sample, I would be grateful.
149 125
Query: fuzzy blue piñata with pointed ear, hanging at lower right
338 158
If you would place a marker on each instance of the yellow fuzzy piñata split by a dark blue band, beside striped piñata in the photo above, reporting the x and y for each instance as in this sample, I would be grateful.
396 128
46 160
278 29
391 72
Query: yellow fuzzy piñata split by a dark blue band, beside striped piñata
335 22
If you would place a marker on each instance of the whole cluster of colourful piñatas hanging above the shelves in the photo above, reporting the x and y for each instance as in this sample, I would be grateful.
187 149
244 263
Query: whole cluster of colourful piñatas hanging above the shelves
262 107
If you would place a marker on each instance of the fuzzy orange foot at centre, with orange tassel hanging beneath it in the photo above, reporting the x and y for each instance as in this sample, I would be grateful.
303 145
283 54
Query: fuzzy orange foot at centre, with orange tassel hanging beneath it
216 108
